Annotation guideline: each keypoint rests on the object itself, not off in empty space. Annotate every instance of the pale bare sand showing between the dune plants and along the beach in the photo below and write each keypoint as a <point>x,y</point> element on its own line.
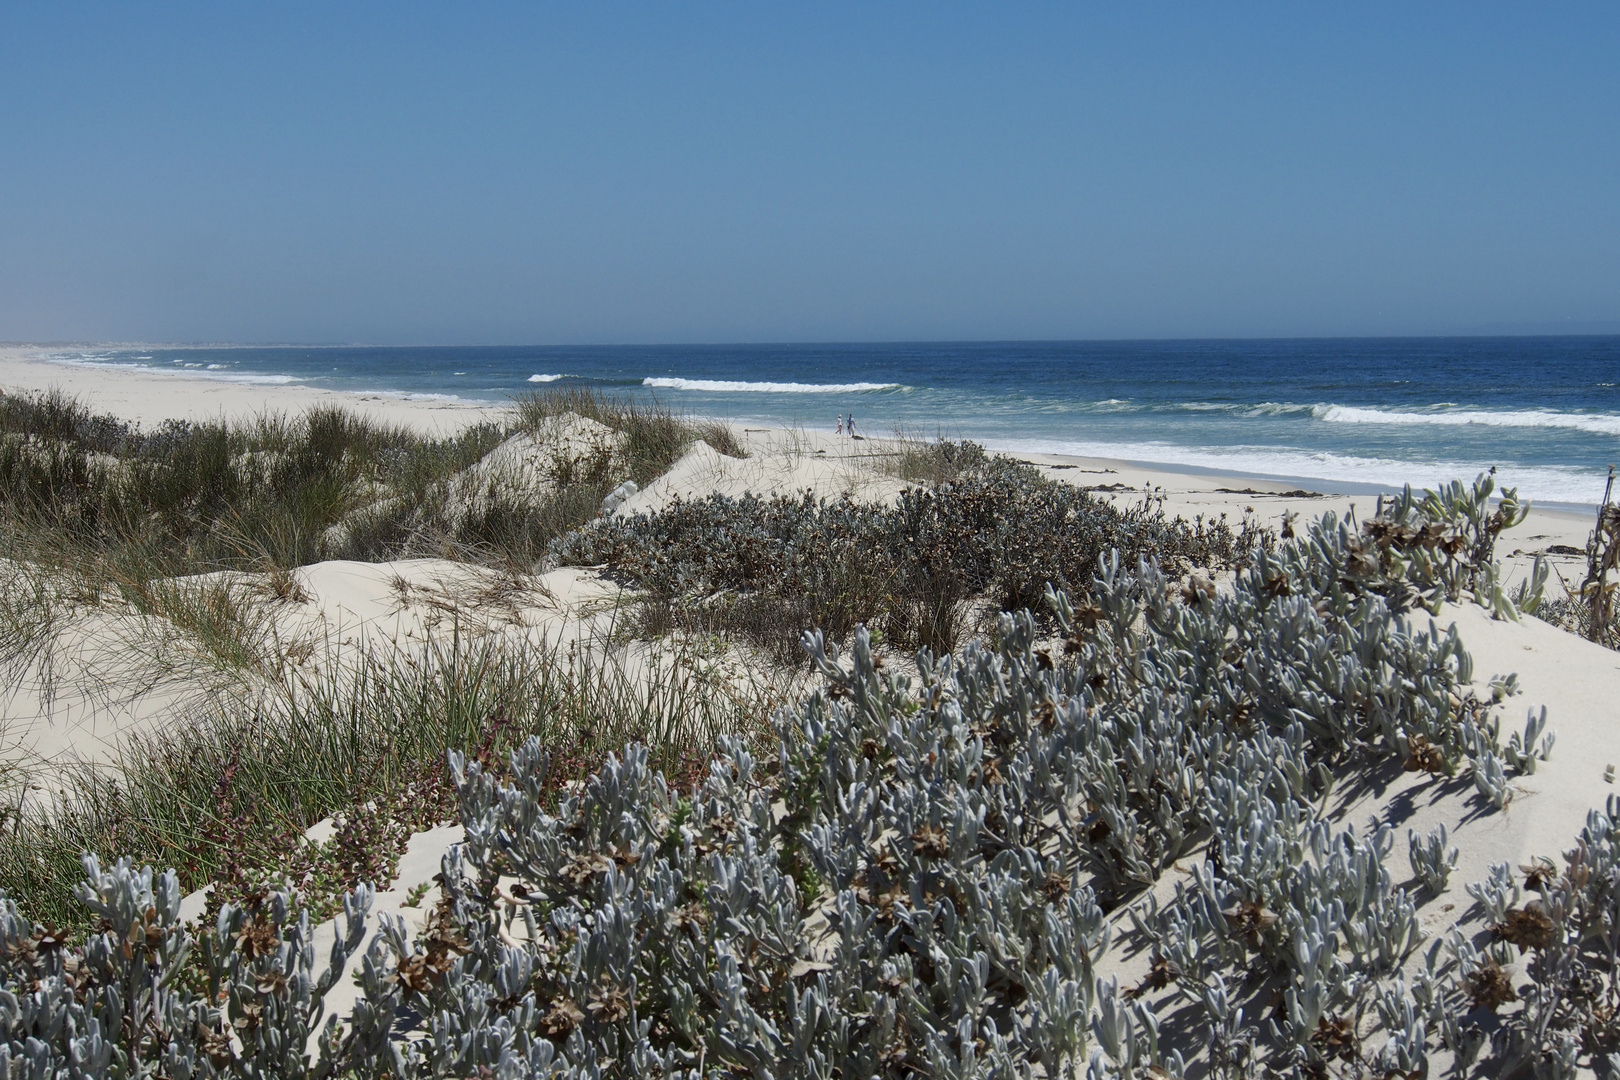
<point>113,687</point>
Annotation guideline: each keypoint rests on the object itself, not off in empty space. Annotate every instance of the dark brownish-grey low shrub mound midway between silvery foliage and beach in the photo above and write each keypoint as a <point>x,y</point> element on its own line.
<point>927,571</point>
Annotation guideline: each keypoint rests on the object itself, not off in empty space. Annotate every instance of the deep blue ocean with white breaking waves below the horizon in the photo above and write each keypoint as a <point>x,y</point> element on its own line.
<point>1352,412</point>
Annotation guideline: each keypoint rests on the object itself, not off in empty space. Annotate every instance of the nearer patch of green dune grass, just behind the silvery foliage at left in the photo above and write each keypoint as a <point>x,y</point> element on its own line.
<point>228,794</point>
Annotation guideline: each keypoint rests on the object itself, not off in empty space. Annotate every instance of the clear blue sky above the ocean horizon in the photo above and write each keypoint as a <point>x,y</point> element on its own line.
<point>770,172</point>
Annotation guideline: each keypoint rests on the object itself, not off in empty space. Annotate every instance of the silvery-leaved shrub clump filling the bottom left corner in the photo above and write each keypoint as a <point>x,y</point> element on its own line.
<point>127,1005</point>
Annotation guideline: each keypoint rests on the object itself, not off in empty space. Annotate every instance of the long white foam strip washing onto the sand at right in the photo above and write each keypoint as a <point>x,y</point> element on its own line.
<point>1546,483</point>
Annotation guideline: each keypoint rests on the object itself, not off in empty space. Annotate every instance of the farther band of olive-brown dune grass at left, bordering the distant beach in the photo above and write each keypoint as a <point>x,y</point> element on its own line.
<point>278,491</point>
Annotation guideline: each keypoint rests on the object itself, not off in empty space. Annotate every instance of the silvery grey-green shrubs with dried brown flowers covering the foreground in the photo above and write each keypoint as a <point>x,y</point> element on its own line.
<point>929,874</point>
